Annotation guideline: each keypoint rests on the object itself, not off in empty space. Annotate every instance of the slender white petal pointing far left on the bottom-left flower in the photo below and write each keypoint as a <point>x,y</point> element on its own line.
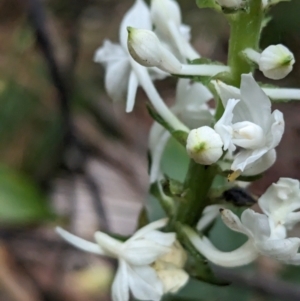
<point>80,243</point>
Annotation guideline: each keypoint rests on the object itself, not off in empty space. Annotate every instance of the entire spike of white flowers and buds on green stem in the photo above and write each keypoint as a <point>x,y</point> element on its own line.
<point>225,121</point>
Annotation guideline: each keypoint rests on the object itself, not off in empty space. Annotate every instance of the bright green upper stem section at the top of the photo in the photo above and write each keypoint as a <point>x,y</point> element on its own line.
<point>245,33</point>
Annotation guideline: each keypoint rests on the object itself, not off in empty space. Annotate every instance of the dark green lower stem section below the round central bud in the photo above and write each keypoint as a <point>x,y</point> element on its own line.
<point>196,187</point>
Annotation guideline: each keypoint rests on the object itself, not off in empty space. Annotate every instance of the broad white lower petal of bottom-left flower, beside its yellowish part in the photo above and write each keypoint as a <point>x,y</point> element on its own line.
<point>144,283</point>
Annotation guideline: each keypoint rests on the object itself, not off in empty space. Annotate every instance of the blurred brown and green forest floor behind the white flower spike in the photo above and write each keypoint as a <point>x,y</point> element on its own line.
<point>70,157</point>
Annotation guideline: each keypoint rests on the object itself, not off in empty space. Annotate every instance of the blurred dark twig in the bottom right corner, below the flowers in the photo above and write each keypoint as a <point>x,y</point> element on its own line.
<point>272,287</point>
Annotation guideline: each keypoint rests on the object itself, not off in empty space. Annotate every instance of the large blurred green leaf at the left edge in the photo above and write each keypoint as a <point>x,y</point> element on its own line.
<point>21,202</point>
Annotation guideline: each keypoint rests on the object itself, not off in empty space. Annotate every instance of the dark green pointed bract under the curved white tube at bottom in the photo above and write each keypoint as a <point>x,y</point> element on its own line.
<point>197,265</point>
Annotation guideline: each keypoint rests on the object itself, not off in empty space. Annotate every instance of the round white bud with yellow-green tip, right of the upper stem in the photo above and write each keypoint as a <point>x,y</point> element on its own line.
<point>276,61</point>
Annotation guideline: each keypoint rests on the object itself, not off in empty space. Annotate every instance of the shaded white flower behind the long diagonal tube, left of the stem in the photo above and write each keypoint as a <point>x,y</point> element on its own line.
<point>191,107</point>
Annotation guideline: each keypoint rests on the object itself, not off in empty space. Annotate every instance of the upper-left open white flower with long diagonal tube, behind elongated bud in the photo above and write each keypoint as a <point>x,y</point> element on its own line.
<point>123,74</point>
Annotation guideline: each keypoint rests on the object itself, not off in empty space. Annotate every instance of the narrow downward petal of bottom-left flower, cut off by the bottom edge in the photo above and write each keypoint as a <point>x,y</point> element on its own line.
<point>120,286</point>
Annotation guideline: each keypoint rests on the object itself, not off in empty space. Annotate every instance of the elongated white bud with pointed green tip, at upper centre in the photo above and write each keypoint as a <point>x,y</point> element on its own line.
<point>145,48</point>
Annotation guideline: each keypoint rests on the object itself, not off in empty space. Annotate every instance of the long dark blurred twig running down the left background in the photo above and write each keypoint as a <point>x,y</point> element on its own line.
<point>71,143</point>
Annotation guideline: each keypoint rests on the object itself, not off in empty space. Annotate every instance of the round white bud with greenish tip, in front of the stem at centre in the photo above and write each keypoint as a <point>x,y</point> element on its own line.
<point>204,145</point>
